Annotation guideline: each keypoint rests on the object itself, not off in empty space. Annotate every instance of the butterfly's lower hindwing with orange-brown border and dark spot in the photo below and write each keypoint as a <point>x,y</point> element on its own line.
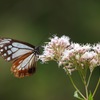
<point>24,66</point>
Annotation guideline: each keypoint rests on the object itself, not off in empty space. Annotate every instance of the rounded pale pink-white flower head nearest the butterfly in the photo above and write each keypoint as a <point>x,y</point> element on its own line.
<point>53,50</point>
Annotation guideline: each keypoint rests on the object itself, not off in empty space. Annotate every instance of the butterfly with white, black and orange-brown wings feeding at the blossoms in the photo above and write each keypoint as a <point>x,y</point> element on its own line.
<point>23,56</point>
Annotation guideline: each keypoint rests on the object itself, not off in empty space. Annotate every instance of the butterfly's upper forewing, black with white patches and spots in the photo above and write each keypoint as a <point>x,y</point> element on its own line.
<point>11,49</point>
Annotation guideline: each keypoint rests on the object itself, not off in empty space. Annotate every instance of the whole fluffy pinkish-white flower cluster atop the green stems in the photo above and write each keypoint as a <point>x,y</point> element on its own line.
<point>72,56</point>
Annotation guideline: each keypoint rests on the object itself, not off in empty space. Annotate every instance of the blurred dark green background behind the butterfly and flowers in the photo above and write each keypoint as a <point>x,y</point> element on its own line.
<point>34,21</point>
